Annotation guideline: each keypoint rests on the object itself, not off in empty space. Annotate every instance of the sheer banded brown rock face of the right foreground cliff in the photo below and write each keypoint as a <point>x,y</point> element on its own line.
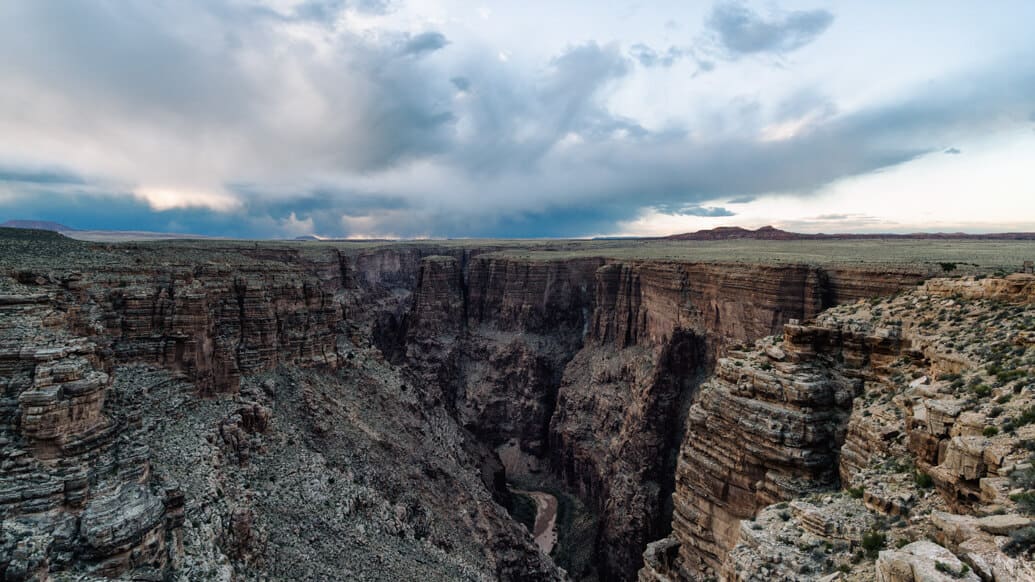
<point>765,431</point>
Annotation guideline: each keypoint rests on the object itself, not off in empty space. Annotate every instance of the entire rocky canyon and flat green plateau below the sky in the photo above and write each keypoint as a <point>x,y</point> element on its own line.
<point>695,411</point>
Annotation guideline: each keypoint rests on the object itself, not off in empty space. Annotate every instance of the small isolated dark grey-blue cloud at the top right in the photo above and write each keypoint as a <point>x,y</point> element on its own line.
<point>742,32</point>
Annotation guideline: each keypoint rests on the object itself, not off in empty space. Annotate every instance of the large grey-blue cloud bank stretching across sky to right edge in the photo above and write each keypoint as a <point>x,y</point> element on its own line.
<point>249,119</point>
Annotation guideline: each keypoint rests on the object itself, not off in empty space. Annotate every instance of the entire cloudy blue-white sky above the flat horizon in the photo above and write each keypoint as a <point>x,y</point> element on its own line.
<point>459,119</point>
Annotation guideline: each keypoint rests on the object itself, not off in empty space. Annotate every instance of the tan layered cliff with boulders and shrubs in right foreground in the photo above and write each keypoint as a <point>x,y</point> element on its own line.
<point>886,399</point>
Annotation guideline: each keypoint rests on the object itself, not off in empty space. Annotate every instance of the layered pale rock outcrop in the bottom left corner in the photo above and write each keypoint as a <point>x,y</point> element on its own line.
<point>76,486</point>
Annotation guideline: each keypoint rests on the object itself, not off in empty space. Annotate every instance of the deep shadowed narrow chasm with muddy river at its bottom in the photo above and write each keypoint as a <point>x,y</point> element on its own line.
<point>587,429</point>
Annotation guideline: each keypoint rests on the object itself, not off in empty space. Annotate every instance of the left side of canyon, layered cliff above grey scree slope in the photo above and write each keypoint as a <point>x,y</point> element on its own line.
<point>169,412</point>
